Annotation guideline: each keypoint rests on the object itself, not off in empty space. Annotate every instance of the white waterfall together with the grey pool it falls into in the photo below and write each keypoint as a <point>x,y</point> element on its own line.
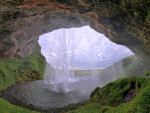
<point>60,87</point>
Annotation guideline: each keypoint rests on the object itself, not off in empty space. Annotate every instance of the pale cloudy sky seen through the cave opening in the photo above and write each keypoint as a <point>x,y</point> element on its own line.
<point>85,48</point>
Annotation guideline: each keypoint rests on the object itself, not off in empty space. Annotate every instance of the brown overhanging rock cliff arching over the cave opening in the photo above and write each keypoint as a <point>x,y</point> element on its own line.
<point>125,22</point>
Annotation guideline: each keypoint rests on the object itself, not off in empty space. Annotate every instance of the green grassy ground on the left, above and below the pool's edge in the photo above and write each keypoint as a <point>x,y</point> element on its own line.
<point>15,70</point>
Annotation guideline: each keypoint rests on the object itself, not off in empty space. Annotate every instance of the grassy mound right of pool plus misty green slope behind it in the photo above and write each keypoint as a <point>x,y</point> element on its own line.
<point>109,99</point>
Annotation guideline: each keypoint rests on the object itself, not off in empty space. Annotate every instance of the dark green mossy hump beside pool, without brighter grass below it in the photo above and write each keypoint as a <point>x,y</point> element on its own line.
<point>114,93</point>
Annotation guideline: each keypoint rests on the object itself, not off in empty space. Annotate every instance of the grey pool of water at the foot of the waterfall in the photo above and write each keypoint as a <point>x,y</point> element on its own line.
<point>42,95</point>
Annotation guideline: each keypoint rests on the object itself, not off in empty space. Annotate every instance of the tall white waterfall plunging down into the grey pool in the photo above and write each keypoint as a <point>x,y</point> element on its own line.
<point>59,75</point>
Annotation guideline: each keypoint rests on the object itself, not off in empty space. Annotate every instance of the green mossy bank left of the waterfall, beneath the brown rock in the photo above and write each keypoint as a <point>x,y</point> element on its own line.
<point>14,70</point>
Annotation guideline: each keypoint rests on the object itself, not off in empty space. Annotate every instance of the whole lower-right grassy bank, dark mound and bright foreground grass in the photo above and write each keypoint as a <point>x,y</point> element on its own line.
<point>112,98</point>
